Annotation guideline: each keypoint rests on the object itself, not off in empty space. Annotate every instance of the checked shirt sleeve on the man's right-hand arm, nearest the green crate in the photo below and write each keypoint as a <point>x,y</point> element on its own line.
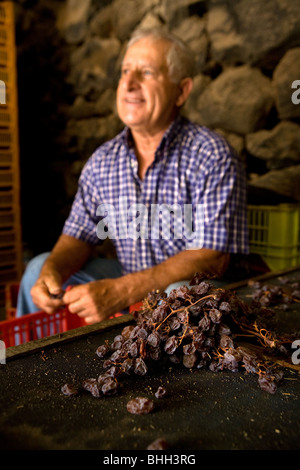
<point>221,208</point>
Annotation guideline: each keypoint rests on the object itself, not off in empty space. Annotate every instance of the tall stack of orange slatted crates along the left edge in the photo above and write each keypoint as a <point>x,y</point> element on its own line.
<point>10,222</point>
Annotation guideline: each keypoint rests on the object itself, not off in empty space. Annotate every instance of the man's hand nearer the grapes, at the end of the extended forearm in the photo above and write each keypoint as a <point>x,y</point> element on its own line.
<point>96,300</point>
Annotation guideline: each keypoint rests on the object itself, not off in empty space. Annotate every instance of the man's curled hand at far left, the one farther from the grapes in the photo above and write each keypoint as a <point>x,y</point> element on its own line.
<point>45,293</point>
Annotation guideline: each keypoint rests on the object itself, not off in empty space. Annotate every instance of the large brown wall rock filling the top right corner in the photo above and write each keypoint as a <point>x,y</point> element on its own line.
<point>254,32</point>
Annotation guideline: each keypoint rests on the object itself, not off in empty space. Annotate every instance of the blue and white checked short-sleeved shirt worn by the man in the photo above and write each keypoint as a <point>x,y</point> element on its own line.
<point>193,167</point>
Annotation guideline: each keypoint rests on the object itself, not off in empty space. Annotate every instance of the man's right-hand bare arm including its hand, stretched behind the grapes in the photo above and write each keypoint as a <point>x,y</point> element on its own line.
<point>97,300</point>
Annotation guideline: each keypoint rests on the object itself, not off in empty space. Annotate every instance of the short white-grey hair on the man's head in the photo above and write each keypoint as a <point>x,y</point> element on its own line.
<point>180,58</point>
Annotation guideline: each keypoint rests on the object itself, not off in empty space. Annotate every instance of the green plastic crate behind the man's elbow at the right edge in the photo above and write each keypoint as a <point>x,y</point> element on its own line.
<point>274,234</point>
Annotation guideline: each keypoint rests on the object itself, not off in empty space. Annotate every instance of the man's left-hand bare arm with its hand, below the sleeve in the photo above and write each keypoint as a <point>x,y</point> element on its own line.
<point>67,256</point>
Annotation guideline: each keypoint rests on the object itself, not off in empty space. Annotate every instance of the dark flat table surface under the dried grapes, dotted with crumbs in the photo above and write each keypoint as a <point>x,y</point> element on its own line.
<point>204,410</point>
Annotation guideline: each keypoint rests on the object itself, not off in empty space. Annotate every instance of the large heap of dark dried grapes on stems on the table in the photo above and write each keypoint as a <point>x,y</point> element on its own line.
<point>197,326</point>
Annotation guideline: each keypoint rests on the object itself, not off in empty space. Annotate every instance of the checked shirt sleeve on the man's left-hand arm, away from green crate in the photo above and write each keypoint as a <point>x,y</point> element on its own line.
<point>82,220</point>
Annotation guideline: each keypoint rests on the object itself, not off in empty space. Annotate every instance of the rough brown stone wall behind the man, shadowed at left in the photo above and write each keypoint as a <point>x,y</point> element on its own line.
<point>248,61</point>
